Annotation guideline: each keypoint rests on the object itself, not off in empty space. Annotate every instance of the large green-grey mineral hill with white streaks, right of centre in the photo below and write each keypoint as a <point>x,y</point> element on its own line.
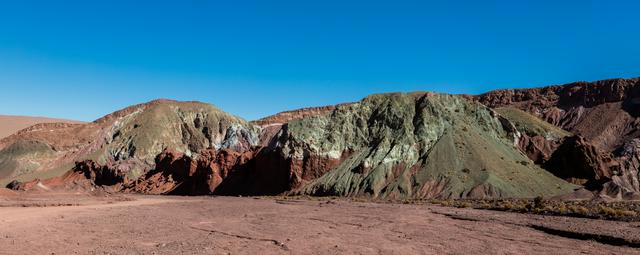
<point>420,145</point>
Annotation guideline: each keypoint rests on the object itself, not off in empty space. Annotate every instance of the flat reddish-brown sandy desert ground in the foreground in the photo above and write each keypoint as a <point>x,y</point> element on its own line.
<point>81,224</point>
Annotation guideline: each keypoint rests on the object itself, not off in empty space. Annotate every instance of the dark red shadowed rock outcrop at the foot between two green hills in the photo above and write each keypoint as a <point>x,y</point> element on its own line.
<point>216,172</point>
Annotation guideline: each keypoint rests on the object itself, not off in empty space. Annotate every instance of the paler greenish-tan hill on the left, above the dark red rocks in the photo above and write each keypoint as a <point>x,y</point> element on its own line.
<point>127,140</point>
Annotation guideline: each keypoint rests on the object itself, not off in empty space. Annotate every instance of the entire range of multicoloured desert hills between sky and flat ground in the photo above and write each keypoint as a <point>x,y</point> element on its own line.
<point>505,143</point>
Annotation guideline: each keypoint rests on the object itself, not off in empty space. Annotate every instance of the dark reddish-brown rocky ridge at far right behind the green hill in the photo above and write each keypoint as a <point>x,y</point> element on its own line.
<point>605,116</point>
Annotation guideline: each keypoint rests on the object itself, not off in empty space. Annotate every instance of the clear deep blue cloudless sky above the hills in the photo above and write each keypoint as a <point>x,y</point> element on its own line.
<point>83,59</point>
